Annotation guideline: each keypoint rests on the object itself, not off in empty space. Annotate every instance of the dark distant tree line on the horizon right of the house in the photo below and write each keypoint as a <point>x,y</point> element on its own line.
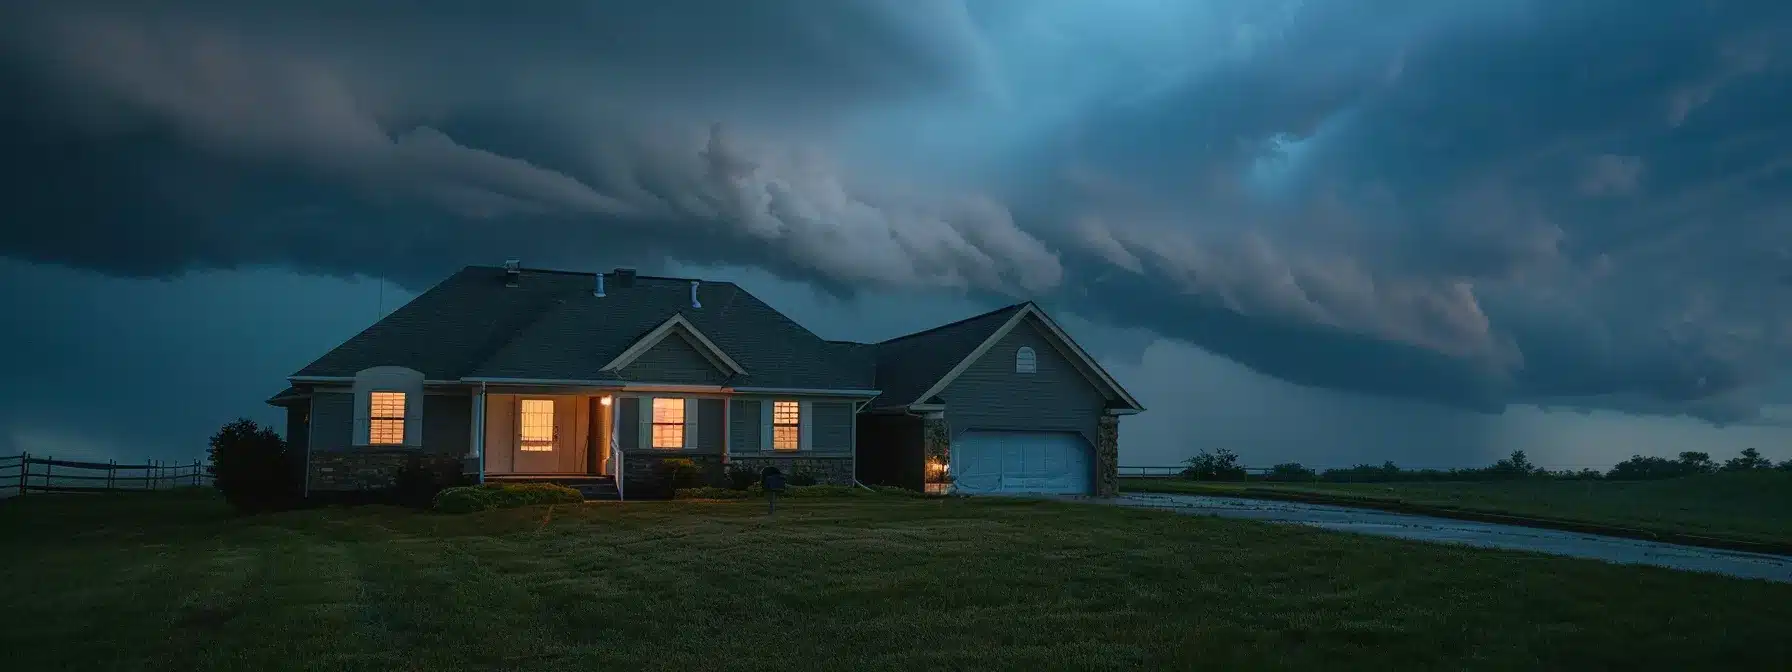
<point>1223,465</point>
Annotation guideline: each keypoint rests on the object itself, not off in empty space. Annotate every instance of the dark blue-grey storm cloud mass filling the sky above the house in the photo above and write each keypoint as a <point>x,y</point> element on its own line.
<point>1476,203</point>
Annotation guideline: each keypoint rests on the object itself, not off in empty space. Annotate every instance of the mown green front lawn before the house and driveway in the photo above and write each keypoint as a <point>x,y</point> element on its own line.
<point>173,583</point>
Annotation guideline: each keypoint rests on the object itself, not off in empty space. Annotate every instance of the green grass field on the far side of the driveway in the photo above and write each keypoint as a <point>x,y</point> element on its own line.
<point>1737,506</point>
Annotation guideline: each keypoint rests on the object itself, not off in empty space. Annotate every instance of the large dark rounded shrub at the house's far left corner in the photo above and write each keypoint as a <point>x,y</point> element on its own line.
<point>252,469</point>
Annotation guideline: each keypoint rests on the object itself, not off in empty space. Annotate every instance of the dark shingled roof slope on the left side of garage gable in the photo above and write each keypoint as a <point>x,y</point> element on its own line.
<point>909,365</point>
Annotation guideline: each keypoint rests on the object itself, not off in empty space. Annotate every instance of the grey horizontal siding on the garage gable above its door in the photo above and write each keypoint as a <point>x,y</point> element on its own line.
<point>990,395</point>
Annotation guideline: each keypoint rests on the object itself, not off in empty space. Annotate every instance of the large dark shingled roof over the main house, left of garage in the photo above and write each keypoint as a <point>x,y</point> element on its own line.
<point>553,327</point>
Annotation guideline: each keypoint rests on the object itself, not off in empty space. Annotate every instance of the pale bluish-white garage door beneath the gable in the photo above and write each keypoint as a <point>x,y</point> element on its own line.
<point>1021,463</point>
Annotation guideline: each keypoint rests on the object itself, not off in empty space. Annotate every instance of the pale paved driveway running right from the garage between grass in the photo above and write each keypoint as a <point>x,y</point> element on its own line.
<point>1476,535</point>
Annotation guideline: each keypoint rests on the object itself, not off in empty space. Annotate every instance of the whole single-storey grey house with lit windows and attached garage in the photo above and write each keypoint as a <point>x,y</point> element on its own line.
<point>512,374</point>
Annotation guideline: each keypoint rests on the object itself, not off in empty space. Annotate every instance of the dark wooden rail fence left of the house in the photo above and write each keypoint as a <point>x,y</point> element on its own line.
<point>26,474</point>
